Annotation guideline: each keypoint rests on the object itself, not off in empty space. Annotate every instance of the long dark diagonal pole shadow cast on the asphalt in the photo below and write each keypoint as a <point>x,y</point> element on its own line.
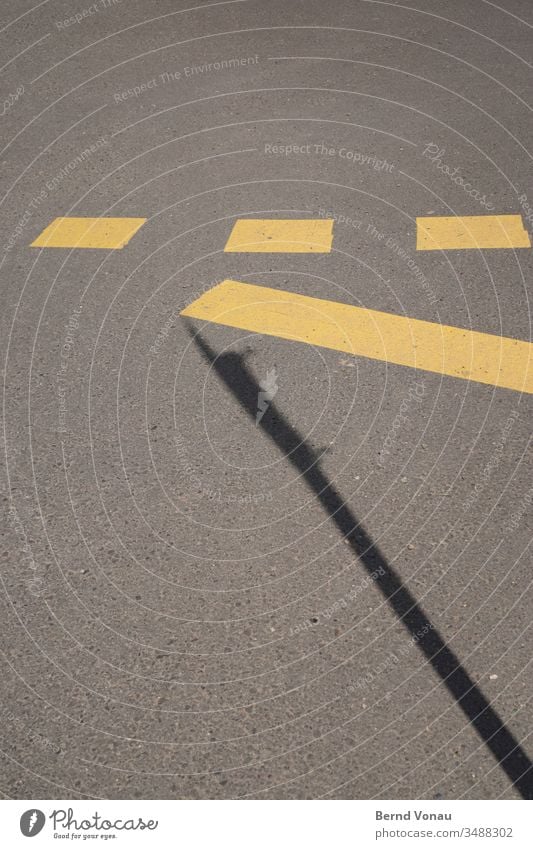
<point>232,370</point>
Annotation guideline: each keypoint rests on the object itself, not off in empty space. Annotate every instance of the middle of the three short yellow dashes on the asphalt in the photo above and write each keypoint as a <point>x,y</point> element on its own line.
<point>277,235</point>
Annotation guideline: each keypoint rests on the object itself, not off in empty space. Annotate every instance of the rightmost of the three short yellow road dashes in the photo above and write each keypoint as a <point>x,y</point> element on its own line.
<point>471,231</point>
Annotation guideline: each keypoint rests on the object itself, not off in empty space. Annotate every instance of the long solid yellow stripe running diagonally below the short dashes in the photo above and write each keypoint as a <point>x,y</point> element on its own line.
<point>481,357</point>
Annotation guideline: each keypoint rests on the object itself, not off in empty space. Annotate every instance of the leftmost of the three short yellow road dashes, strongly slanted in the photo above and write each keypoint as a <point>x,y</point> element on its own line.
<point>105,233</point>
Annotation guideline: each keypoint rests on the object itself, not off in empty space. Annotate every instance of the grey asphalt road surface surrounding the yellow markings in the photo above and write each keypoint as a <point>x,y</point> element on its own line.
<point>182,617</point>
